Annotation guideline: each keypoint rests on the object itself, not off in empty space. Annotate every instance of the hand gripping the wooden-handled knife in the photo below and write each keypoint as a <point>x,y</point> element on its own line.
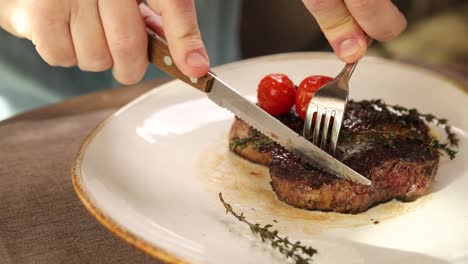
<point>97,35</point>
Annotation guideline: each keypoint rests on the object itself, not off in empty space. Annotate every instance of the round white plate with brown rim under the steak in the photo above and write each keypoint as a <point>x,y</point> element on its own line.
<point>151,173</point>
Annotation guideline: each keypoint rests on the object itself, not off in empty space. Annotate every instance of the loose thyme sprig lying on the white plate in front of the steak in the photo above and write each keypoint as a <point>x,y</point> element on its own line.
<point>291,250</point>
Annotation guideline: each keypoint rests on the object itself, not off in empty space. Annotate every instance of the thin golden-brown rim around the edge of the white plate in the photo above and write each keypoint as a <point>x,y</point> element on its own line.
<point>140,243</point>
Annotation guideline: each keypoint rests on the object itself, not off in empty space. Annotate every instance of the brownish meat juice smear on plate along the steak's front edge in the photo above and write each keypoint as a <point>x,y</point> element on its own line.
<point>246,186</point>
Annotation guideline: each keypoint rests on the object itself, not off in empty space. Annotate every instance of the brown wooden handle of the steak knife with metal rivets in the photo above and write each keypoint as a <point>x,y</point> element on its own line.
<point>159,55</point>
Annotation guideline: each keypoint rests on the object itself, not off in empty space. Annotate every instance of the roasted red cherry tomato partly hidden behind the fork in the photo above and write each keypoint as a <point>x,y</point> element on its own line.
<point>306,90</point>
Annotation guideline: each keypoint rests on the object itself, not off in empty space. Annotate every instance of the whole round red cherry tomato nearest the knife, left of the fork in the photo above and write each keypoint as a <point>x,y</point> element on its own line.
<point>276,94</point>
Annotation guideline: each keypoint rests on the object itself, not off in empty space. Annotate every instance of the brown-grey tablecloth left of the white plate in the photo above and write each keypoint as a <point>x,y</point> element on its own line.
<point>41,218</point>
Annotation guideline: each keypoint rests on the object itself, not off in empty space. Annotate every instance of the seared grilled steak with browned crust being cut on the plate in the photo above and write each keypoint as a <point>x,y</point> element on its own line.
<point>393,151</point>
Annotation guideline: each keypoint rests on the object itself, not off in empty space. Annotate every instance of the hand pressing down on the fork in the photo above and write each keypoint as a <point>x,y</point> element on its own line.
<point>345,23</point>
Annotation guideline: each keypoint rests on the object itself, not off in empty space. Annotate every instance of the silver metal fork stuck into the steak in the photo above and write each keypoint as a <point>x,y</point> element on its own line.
<point>327,103</point>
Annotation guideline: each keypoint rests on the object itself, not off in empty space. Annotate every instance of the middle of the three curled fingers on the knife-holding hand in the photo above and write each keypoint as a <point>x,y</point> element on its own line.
<point>88,37</point>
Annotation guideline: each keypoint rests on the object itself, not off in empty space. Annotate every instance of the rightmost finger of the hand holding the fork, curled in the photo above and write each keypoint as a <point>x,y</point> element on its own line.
<point>380,19</point>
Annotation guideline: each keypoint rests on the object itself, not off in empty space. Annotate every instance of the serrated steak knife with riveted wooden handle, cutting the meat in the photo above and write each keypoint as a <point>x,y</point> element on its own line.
<point>223,95</point>
